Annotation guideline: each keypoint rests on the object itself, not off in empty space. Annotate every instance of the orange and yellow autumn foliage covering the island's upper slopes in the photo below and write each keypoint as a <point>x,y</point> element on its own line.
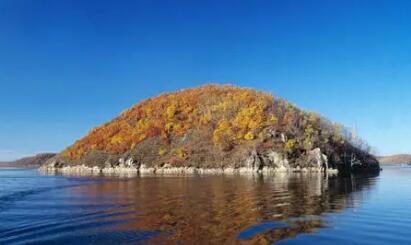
<point>233,116</point>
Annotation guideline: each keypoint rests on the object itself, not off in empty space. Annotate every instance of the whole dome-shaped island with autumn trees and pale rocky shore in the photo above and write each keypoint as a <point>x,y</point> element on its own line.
<point>216,129</point>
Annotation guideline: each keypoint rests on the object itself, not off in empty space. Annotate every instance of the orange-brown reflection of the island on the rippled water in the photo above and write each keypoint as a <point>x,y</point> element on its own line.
<point>218,209</point>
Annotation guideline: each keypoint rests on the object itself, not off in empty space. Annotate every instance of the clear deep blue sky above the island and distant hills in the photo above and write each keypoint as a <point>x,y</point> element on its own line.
<point>68,66</point>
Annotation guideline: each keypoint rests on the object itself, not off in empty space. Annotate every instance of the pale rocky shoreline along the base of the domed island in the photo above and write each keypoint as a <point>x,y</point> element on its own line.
<point>256,163</point>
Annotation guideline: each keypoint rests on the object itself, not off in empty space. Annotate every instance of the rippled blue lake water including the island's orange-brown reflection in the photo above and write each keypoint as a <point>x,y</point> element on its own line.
<point>298,209</point>
